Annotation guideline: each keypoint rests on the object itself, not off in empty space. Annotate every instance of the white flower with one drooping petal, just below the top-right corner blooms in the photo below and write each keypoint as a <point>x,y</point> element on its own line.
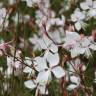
<point>78,18</point>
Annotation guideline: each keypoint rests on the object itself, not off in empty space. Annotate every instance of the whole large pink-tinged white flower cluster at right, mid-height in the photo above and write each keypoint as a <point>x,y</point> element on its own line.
<point>77,45</point>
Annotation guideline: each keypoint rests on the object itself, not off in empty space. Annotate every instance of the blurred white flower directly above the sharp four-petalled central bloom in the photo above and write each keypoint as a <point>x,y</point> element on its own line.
<point>43,43</point>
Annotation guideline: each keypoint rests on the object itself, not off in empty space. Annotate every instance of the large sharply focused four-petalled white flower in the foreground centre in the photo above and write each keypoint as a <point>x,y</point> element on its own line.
<point>47,65</point>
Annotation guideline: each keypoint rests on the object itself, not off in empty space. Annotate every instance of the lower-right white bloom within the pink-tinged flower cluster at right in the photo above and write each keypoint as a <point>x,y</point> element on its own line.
<point>82,48</point>
